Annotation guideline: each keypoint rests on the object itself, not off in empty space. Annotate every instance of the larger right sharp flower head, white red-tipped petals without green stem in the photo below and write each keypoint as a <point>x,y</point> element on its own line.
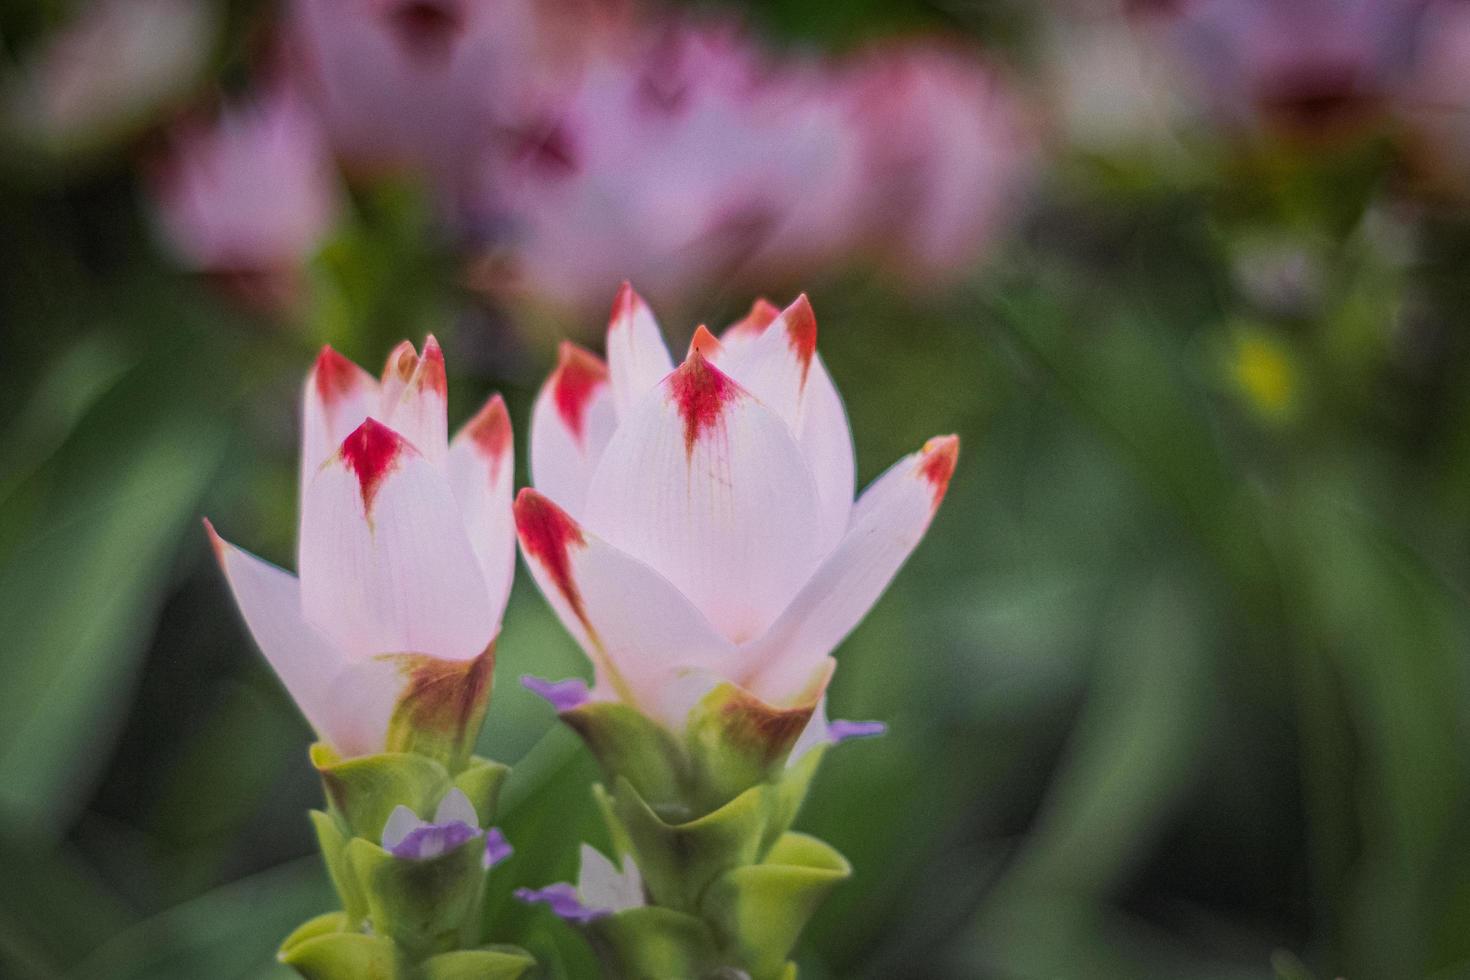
<point>696,525</point>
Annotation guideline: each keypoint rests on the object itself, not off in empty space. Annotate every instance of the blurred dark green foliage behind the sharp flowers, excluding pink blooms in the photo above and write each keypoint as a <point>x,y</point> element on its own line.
<point>1177,685</point>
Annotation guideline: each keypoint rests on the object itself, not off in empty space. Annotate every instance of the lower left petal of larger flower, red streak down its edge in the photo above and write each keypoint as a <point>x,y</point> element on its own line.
<point>630,621</point>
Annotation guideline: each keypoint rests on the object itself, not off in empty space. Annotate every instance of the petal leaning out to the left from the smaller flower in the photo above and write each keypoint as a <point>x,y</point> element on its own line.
<point>271,605</point>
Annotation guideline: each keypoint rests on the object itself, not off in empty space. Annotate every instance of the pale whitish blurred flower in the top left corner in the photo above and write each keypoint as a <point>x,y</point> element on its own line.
<point>110,71</point>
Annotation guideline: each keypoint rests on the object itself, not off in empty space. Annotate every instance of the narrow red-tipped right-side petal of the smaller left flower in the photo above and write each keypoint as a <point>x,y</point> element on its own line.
<point>481,471</point>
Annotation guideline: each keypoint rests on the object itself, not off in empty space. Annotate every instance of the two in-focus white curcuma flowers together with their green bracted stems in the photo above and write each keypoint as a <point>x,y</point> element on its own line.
<point>693,525</point>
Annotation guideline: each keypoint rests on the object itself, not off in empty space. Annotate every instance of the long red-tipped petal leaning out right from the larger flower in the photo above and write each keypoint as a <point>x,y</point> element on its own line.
<point>889,522</point>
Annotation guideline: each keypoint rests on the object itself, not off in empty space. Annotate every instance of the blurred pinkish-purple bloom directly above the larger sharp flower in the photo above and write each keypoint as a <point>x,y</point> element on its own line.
<point>671,154</point>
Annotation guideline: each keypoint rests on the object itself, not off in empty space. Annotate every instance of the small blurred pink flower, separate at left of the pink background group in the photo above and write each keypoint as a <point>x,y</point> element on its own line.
<point>251,196</point>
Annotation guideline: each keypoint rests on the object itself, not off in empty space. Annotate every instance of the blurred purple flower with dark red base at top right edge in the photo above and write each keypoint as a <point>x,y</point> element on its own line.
<point>1305,68</point>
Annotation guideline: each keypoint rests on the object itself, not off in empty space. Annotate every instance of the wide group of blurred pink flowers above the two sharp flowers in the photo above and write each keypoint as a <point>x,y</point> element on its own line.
<point>570,149</point>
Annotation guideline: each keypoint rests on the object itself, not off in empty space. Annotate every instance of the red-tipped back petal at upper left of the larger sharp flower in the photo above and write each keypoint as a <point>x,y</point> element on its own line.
<point>571,424</point>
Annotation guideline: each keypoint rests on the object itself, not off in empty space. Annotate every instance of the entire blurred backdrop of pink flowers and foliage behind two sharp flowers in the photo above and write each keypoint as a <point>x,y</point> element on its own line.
<point>1177,685</point>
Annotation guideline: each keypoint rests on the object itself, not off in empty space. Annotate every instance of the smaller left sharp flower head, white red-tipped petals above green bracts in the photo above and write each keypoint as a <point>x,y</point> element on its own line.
<point>406,559</point>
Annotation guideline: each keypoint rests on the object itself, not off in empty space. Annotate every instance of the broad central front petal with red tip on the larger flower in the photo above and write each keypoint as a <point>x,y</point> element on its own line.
<point>708,487</point>
